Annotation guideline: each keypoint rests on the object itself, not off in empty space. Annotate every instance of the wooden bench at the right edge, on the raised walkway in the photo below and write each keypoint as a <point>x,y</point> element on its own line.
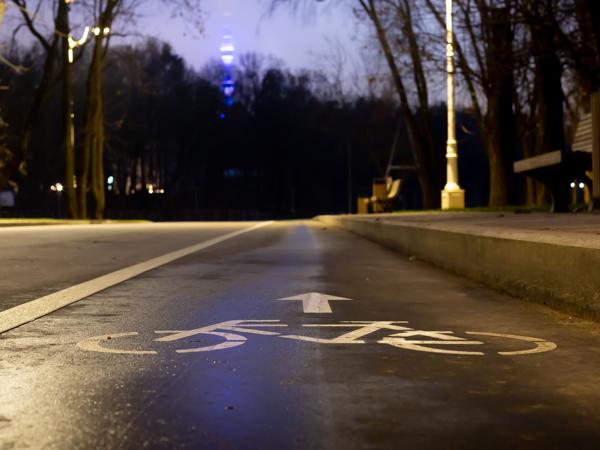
<point>559,168</point>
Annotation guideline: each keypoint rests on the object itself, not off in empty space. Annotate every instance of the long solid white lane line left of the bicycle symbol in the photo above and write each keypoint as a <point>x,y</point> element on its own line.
<point>27,312</point>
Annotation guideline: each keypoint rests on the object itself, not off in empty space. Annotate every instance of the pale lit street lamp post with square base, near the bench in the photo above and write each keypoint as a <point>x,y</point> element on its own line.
<point>453,197</point>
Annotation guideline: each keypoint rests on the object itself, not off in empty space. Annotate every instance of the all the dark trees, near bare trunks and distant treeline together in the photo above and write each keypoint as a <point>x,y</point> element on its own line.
<point>133,129</point>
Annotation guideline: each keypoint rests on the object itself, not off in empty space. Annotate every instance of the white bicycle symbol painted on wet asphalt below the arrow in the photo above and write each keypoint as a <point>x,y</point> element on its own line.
<point>402,337</point>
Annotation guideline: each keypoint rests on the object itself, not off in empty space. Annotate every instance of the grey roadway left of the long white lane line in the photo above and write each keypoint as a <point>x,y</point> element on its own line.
<point>43,259</point>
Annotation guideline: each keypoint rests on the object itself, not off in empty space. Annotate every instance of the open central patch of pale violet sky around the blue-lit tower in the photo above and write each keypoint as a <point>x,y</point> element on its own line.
<point>298,40</point>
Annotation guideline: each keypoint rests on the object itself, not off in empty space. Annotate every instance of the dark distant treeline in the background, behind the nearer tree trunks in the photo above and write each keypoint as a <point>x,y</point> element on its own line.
<point>286,148</point>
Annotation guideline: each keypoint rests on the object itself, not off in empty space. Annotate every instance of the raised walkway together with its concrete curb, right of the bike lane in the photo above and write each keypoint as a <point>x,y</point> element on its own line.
<point>550,258</point>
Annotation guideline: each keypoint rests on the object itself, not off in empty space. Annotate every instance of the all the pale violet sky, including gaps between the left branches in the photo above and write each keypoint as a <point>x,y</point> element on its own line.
<point>300,40</point>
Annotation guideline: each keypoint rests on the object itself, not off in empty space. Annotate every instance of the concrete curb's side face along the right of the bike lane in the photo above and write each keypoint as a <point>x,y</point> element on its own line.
<point>565,277</point>
